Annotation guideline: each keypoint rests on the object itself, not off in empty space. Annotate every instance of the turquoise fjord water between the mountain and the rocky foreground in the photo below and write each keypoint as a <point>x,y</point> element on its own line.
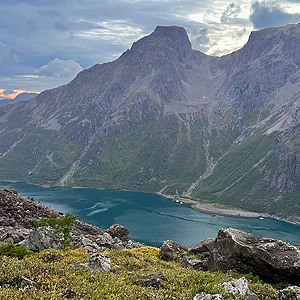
<point>150,218</point>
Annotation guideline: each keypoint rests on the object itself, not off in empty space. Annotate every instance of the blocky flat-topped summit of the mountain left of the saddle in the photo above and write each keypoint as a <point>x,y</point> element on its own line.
<point>168,38</point>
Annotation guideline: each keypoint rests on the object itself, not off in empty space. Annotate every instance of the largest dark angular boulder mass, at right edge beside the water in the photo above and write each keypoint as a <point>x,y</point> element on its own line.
<point>237,251</point>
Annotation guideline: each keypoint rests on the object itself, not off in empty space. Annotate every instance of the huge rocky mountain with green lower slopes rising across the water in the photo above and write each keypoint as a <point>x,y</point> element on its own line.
<point>164,117</point>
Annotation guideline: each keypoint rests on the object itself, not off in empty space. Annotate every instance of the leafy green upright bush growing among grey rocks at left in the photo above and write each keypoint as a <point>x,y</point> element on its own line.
<point>60,225</point>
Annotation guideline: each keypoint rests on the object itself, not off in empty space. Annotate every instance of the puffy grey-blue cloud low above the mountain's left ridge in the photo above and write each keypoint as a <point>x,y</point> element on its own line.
<point>60,68</point>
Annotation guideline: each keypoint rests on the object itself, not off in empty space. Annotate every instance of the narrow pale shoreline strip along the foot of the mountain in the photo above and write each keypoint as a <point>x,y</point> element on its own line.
<point>212,208</point>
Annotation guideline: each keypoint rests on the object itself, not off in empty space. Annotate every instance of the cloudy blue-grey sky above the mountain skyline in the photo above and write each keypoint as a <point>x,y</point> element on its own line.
<point>45,43</point>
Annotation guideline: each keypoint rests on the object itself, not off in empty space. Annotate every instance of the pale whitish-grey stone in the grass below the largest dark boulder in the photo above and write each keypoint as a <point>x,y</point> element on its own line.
<point>240,288</point>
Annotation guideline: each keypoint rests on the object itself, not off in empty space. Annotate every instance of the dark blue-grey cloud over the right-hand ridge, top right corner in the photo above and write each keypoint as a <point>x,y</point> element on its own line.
<point>269,14</point>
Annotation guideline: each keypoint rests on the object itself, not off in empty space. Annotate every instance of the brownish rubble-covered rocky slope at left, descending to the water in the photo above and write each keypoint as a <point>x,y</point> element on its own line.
<point>17,216</point>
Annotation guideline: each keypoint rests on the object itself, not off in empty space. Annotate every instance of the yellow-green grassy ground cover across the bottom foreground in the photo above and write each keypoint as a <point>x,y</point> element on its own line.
<point>53,269</point>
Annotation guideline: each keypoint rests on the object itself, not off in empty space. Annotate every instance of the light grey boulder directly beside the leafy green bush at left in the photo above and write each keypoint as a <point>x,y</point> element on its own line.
<point>43,238</point>
